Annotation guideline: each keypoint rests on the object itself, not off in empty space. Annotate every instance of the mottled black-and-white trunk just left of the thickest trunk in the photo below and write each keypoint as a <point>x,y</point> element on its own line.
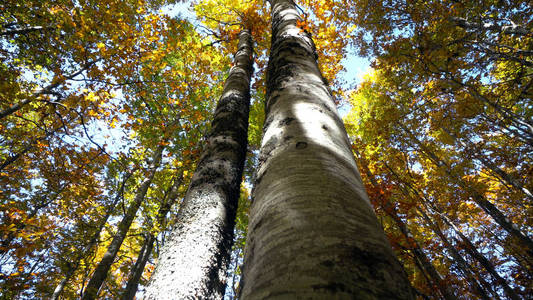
<point>193,262</point>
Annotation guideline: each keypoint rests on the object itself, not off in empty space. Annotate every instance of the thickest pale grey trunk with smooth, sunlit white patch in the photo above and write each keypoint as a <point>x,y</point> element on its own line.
<point>312,233</point>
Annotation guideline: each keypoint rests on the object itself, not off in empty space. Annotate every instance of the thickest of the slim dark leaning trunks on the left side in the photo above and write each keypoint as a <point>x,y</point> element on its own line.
<point>100,273</point>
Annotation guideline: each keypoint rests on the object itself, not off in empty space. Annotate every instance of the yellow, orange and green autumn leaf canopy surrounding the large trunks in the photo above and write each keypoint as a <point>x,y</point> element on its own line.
<point>441,126</point>
